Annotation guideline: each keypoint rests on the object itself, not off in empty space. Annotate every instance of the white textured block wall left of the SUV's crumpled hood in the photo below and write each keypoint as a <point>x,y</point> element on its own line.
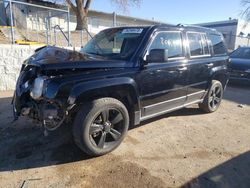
<point>11,58</point>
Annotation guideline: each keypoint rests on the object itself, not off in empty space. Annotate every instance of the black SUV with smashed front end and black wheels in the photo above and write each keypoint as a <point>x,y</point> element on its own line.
<point>121,77</point>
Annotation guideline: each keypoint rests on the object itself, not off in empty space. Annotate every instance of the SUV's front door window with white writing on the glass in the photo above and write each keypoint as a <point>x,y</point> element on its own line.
<point>172,41</point>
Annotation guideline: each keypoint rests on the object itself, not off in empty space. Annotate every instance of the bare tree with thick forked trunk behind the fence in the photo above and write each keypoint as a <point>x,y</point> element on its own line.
<point>81,7</point>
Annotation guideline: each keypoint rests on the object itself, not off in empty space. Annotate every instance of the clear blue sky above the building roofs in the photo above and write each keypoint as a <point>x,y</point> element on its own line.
<point>177,11</point>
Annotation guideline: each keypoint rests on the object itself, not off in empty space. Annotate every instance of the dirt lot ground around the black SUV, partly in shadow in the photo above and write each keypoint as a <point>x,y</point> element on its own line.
<point>185,148</point>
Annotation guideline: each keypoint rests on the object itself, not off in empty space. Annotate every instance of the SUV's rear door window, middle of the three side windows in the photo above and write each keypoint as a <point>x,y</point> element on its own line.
<point>198,44</point>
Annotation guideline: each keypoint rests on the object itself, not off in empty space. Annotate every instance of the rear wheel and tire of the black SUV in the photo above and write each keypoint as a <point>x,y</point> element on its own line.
<point>213,97</point>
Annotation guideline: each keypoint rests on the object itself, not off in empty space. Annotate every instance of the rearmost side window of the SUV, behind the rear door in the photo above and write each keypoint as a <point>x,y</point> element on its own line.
<point>218,44</point>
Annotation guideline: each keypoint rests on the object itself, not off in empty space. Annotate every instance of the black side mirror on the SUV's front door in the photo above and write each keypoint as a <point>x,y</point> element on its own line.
<point>157,56</point>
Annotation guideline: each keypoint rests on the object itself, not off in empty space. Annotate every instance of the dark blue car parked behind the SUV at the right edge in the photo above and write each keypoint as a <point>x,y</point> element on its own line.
<point>240,65</point>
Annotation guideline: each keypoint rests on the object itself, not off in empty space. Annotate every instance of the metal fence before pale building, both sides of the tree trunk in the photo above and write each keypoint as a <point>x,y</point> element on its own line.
<point>52,24</point>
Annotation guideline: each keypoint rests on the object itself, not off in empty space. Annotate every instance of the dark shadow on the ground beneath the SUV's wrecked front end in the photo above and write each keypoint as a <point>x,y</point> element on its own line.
<point>23,145</point>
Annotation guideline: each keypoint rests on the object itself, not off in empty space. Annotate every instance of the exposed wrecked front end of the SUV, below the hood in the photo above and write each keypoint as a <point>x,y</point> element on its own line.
<point>29,102</point>
